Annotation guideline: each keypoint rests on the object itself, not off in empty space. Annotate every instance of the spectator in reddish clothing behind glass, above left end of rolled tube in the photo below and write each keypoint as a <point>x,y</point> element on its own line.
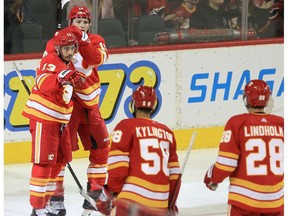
<point>179,17</point>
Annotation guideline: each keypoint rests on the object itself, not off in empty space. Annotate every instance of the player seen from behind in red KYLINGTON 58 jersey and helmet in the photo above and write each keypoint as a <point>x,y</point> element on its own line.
<point>143,166</point>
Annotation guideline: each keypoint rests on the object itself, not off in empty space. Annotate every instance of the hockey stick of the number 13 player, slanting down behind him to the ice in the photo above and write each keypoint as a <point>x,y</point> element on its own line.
<point>82,191</point>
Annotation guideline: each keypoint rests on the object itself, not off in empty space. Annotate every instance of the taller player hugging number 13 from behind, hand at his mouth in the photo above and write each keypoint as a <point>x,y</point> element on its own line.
<point>86,119</point>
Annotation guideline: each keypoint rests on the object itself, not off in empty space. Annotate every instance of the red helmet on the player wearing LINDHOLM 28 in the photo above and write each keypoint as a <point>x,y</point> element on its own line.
<point>256,93</point>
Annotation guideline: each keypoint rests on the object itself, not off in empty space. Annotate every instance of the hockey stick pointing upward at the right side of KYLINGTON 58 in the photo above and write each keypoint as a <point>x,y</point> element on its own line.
<point>173,199</point>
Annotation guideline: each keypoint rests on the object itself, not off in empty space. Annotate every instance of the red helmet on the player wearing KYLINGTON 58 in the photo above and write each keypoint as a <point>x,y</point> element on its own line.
<point>144,97</point>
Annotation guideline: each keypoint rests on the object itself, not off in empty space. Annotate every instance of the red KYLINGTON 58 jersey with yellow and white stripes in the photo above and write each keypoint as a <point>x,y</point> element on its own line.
<point>143,164</point>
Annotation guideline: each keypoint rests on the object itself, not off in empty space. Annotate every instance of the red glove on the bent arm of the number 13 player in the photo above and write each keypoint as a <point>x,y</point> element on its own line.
<point>71,77</point>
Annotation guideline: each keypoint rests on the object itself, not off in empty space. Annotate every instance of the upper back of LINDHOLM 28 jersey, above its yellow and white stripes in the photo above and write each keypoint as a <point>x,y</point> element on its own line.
<point>261,142</point>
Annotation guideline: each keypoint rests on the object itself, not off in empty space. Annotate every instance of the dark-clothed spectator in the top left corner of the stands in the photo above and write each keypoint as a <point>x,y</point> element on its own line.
<point>15,12</point>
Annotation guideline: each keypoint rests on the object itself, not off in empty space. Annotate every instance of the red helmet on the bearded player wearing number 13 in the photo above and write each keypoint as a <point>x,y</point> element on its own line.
<point>64,38</point>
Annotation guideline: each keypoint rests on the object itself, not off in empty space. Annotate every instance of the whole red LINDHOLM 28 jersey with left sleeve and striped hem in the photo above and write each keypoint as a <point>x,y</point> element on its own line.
<point>253,150</point>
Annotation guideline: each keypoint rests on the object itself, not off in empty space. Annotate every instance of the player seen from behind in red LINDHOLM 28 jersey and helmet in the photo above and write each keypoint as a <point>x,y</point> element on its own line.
<point>251,154</point>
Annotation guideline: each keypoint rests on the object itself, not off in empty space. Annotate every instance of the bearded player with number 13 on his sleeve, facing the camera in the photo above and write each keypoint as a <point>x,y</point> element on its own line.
<point>49,109</point>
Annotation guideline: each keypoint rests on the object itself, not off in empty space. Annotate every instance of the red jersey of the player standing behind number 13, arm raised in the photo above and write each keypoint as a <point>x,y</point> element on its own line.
<point>91,54</point>
